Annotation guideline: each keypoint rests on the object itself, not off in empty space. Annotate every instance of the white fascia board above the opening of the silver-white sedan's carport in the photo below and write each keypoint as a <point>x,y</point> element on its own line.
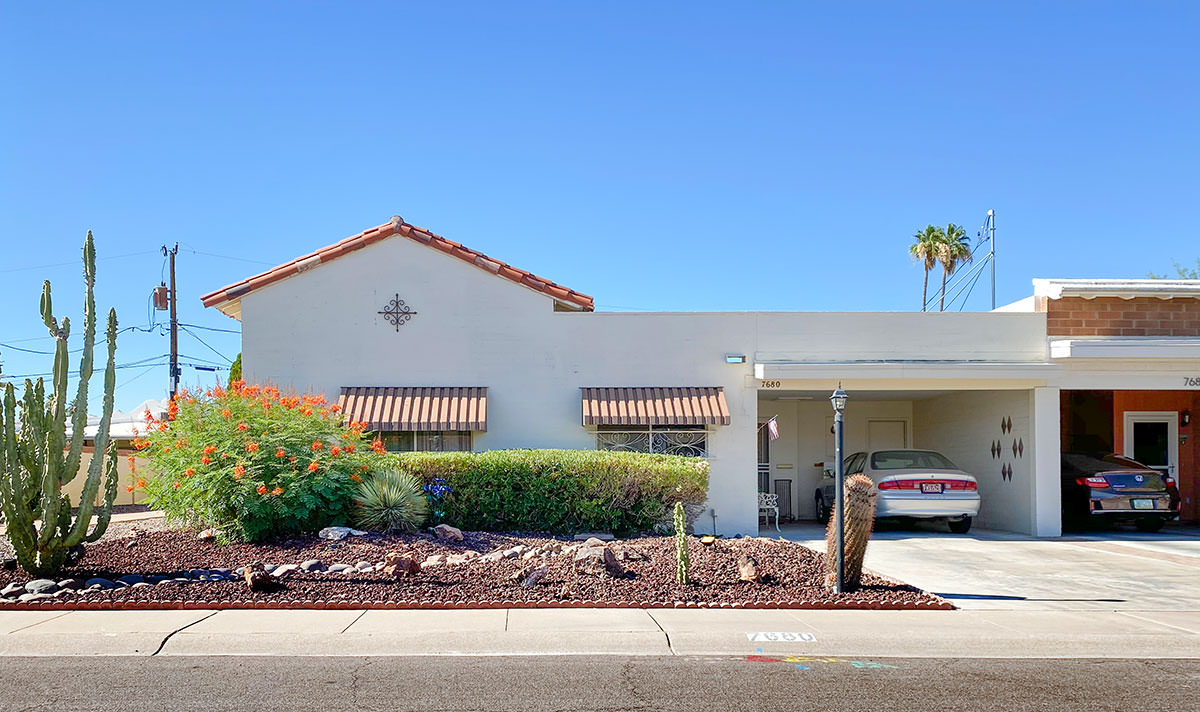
<point>908,370</point>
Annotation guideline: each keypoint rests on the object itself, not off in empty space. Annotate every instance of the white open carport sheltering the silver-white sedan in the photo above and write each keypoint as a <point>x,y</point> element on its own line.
<point>999,422</point>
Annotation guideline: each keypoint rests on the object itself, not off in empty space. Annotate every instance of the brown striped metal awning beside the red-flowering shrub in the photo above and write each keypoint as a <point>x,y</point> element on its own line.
<point>403,409</point>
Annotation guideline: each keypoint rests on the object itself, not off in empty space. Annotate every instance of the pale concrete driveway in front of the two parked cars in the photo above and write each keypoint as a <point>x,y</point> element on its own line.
<point>991,570</point>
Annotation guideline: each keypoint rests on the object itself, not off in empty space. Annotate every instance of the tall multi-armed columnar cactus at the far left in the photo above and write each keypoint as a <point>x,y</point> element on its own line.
<point>37,460</point>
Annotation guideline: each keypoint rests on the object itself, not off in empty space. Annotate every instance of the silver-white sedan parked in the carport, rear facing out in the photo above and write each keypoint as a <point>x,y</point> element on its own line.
<point>913,484</point>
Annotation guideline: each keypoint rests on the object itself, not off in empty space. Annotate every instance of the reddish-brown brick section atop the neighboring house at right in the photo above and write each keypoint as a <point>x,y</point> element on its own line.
<point>1111,316</point>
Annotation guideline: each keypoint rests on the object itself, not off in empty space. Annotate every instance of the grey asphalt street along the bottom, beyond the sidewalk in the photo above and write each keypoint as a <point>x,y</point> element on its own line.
<point>597,684</point>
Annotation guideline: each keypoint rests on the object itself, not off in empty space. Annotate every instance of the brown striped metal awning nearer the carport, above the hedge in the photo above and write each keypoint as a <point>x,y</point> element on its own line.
<point>656,406</point>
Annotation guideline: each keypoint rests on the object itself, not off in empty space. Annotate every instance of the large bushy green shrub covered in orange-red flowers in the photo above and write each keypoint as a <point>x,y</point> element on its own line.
<point>251,463</point>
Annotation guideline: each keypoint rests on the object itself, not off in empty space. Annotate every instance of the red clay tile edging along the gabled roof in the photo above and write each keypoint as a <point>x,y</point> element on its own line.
<point>398,228</point>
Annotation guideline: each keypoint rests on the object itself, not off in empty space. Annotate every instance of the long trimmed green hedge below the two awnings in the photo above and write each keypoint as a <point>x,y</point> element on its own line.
<point>561,492</point>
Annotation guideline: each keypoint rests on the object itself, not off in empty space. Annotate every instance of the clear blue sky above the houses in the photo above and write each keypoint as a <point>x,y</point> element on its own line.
<point>688,157</point>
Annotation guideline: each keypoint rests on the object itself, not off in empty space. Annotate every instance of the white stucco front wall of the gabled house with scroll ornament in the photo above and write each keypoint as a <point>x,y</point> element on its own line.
<point>320,331</point>
